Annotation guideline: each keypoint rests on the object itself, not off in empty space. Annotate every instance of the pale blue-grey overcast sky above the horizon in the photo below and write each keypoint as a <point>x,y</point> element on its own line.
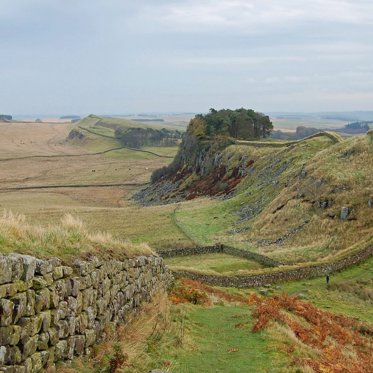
<point>117,56</point>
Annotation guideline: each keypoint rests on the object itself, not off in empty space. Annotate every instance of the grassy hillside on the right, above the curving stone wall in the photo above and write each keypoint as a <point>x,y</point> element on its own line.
<point>340,173</point>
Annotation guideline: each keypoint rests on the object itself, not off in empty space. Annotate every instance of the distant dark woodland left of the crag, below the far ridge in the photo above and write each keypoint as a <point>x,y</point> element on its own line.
<point>139,137</point>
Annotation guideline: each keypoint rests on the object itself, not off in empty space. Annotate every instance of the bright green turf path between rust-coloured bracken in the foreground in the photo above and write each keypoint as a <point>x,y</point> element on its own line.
<point>220,346</point>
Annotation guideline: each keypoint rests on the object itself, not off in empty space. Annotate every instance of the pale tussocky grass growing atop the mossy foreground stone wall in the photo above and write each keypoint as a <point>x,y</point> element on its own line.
<point>67,240</point>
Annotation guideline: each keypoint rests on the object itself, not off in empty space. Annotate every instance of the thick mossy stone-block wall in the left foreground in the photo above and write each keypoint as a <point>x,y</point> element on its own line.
<point>50,312</point>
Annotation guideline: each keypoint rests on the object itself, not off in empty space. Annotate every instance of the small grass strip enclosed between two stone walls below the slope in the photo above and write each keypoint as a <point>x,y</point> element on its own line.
<point>217,262</point>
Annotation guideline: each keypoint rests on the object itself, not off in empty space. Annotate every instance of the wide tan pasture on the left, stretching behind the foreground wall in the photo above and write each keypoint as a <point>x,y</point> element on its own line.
<point>44,176</point>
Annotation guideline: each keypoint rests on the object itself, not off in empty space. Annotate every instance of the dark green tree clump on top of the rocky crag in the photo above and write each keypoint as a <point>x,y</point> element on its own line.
<point>241,123</point>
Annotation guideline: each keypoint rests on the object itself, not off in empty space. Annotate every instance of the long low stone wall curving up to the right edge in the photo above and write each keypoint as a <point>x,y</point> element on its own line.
<point>278,275</point>
